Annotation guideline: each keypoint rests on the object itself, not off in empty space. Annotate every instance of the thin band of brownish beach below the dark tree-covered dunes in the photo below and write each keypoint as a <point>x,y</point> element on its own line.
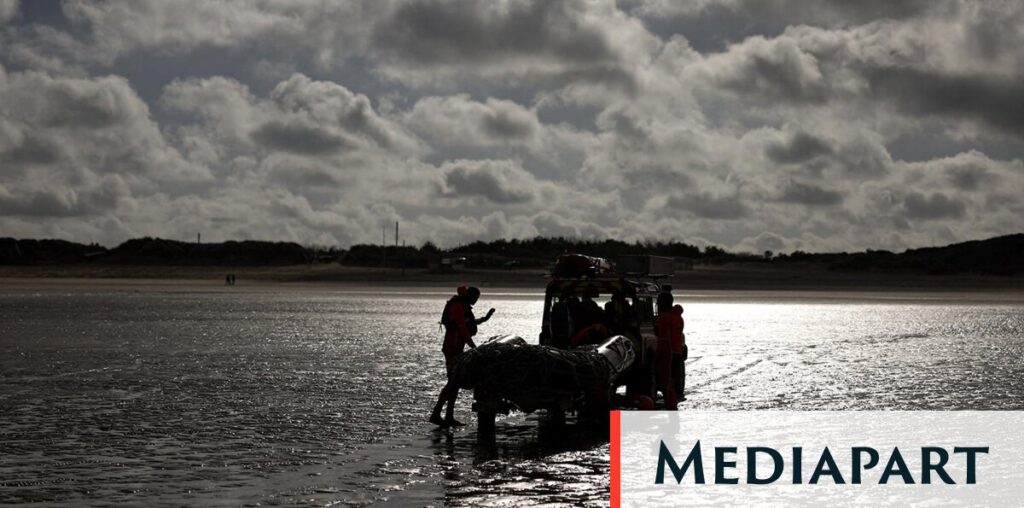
<point>729,277</point>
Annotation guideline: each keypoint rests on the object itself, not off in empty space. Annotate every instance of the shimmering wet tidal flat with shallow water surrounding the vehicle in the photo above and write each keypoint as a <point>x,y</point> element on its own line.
<point>320,398</point>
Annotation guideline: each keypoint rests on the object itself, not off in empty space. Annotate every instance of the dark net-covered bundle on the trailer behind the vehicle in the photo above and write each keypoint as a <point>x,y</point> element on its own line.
<point>534,376</point>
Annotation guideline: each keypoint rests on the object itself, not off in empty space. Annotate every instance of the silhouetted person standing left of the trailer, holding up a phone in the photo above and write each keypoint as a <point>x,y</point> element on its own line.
<point>460,327</point>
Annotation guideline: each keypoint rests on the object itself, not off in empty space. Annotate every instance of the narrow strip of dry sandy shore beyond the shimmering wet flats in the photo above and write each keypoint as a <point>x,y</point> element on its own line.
<point>734,281</point>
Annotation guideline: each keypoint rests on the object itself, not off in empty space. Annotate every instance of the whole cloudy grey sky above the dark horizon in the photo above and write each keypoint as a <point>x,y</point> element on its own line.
<point>752,125</point>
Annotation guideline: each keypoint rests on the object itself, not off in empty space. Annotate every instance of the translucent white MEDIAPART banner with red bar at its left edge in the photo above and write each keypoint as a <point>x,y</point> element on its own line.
<point>810,458</point>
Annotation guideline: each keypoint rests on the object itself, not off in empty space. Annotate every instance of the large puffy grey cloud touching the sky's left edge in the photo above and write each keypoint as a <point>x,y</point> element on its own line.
<point>79,129</point>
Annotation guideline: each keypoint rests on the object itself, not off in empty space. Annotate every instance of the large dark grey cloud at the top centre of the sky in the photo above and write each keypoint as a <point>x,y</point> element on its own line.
<point>546,44</point>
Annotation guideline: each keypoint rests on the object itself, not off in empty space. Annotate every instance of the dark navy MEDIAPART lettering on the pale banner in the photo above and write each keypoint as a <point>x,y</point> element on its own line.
<point>934,461</point>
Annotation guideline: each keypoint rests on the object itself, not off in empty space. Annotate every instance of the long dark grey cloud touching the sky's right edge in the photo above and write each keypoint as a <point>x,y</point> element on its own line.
<point>994,101</point>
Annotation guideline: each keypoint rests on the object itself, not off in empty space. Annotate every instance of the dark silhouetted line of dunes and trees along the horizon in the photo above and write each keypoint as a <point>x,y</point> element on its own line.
<point>1000,257</point>
